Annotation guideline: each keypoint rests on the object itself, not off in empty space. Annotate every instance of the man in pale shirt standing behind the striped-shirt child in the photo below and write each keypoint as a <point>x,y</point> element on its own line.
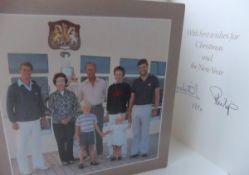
<point>93,90</point>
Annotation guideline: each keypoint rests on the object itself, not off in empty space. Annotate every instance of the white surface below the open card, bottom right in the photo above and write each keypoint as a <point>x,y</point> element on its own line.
<point>184,161</point>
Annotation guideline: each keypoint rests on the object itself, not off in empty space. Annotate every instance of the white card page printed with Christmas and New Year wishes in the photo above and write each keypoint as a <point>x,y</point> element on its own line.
<point>221,138</point>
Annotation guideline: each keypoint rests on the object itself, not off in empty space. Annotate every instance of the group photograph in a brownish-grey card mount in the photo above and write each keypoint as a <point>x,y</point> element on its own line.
<point>90,93</point>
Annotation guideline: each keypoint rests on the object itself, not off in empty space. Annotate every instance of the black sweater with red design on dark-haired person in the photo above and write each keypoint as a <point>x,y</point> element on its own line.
<point>118,97</point>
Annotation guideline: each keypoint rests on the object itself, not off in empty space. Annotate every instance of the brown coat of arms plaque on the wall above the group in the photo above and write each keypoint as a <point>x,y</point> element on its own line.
<point>64,35</point>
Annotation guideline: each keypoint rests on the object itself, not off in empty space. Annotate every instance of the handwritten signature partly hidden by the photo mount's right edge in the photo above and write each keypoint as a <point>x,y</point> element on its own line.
<point>188,89</point>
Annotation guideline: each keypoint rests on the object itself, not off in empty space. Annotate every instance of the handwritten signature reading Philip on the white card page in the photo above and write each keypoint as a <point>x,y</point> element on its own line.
<point>223,102</point>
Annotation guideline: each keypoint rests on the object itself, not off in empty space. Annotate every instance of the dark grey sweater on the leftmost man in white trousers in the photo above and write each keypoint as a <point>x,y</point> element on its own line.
<point>24,105</point>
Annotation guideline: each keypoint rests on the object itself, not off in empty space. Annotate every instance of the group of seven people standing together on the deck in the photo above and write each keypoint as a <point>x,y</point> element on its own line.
<point>78,116</point>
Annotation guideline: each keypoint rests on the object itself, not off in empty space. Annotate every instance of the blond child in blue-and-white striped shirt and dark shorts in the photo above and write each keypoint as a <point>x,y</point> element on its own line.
<point>85,132</point>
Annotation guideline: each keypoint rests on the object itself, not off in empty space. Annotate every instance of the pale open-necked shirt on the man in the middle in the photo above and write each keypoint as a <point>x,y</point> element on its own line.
<point>95,94</point>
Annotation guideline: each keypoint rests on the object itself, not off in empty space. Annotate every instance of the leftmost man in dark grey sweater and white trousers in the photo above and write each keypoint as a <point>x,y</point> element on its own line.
<point>26,113</point>
